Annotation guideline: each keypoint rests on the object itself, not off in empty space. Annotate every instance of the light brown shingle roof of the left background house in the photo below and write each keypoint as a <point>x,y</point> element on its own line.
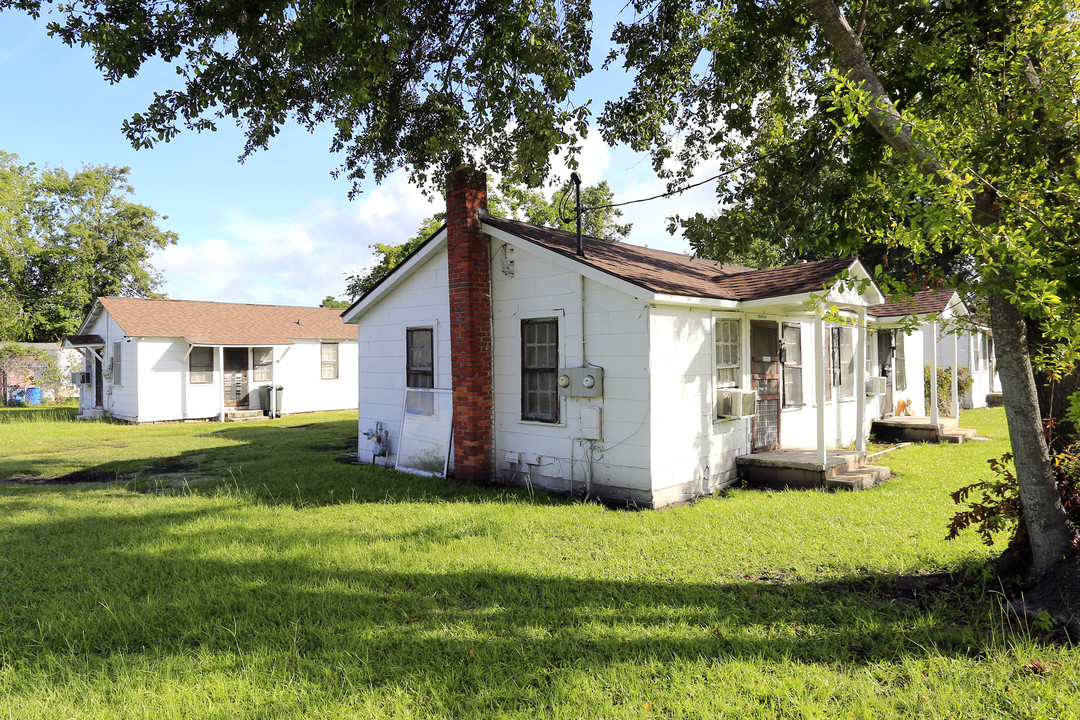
<point>225,323</point>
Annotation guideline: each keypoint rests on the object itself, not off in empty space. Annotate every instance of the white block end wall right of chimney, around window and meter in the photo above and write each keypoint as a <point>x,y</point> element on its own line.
<point>617,338</point>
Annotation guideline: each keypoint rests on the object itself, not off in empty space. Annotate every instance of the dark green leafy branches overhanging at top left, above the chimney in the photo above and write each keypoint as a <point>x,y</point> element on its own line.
<point>420,85</point>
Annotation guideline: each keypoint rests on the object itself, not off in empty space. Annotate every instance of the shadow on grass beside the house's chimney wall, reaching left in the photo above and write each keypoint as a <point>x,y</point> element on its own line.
<point>294,465</point>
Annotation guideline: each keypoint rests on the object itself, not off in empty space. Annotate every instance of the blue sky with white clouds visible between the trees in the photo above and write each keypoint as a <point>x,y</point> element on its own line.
<point>277,229</point>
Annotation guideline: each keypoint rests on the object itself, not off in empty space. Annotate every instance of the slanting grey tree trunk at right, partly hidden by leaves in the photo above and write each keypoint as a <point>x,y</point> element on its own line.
<point>1051,534</point>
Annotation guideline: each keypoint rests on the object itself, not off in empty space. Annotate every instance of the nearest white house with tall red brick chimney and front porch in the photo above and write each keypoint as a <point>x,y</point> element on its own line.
<point>631,374</point>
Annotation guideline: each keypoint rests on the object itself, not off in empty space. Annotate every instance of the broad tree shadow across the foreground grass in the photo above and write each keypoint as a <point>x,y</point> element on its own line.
<point>173,585</point>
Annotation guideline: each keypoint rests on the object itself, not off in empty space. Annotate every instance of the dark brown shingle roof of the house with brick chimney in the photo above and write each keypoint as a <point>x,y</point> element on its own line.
<point>672,274</point>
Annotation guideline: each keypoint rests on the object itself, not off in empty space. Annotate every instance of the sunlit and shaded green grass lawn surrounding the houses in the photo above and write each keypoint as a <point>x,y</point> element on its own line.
<point>241,572</point>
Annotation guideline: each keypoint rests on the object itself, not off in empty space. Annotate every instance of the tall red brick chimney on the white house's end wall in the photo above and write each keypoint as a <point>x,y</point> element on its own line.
<point>470,327</point>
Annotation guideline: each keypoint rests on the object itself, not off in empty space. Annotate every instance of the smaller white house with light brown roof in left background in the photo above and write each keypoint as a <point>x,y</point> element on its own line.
<point>153,361</point>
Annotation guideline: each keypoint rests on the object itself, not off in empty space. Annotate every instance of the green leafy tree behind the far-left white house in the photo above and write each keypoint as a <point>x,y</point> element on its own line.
<point>66,239</point>
